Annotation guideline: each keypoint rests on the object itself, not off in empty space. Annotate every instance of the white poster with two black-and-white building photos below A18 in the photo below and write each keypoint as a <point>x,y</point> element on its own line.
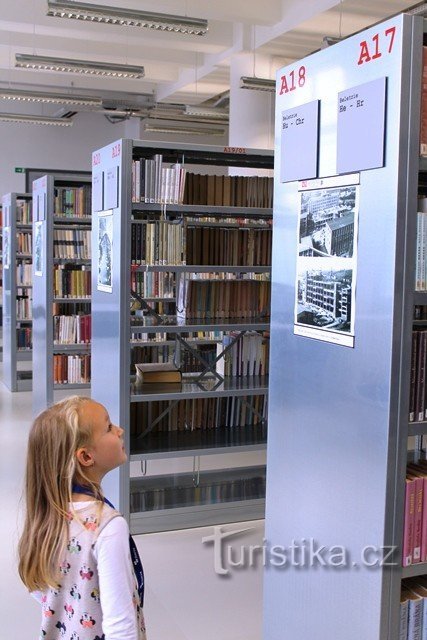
<point>325,285</point>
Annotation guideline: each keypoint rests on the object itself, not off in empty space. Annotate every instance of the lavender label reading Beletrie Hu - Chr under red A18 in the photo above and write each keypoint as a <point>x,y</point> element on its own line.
<point>300,142</point>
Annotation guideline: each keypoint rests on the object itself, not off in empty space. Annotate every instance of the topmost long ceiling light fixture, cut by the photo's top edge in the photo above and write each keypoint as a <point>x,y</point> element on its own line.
<point>126,17</point>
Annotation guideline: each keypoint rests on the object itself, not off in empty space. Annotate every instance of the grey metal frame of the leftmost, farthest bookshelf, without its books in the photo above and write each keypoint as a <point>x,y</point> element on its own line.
<point>15,378</point>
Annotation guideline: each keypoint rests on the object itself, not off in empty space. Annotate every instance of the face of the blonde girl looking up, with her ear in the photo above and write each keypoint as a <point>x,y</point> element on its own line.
<point>106,451</point>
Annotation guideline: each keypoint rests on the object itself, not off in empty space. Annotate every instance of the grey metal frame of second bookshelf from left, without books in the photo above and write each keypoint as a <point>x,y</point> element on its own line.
<point>45,221</point>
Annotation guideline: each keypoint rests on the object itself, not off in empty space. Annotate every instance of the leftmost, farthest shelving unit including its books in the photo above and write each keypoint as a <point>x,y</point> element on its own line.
<point>17,291</point>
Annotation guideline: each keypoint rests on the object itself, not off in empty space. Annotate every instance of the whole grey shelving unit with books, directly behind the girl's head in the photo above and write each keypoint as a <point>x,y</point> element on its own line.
<point>199,416</point>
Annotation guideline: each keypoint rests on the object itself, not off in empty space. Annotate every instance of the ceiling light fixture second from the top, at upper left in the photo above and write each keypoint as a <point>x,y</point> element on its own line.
<point>26,61</point>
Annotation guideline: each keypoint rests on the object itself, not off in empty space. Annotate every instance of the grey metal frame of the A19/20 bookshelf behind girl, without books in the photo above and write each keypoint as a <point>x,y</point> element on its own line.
<point>113,330</point>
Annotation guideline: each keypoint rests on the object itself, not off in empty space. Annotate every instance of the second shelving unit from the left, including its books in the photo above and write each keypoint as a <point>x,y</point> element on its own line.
<point>61,232</point>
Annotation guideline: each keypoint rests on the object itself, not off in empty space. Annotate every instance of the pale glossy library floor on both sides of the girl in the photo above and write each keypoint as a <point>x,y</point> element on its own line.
<point>185,598</point>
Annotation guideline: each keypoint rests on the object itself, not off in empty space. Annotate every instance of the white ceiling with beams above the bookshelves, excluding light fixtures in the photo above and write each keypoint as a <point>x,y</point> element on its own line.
<point>178,68</point>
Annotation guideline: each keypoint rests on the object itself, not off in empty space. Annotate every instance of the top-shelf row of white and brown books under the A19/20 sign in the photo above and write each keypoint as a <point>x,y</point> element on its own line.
<point>154,183</point>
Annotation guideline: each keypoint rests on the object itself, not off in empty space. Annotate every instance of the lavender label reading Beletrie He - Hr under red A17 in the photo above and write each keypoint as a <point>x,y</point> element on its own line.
<point>361,127</point>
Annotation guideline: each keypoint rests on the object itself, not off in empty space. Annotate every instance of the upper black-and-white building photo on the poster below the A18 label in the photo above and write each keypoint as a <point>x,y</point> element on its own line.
<point>327,222</point>
